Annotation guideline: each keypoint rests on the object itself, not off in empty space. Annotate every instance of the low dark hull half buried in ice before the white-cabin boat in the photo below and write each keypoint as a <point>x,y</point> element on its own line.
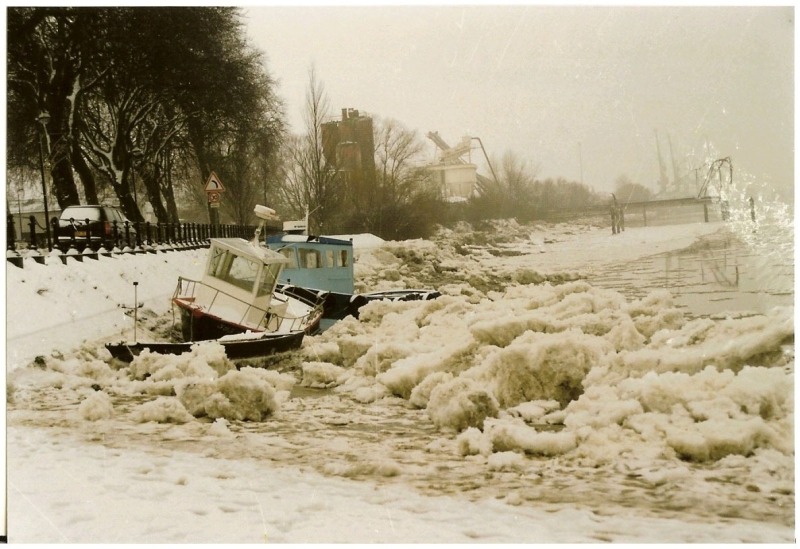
<point>264,345</point>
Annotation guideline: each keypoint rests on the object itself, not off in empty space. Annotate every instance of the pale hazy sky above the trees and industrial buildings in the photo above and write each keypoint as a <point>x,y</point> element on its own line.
<point>576,92</point>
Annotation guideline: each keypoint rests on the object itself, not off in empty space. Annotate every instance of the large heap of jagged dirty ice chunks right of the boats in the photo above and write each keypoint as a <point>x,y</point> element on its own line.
<point>600,374</point>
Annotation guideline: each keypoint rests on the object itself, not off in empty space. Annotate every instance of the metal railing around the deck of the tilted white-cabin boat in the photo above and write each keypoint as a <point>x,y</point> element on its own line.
<point>269,319</point>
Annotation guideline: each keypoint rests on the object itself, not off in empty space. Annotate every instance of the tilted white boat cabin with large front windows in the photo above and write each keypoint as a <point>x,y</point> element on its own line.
<point>239,281</point>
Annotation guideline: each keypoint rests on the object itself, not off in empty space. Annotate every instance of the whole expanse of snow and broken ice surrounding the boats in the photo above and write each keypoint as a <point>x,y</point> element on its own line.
<point>538,400</point>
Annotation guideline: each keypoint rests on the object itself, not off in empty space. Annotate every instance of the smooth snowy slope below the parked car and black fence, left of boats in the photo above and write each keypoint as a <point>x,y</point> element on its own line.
<point>87,300</point>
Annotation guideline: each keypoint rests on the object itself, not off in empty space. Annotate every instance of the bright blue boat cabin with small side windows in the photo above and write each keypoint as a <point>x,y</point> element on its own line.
<point>315,262</point>
